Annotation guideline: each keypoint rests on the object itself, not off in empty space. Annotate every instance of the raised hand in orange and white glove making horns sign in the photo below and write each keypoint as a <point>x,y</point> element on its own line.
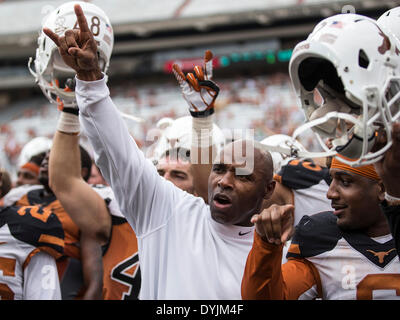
<point>197,88</point>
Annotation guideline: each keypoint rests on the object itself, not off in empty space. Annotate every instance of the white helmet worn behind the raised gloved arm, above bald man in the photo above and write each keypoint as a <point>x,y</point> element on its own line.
<point>178,134</point>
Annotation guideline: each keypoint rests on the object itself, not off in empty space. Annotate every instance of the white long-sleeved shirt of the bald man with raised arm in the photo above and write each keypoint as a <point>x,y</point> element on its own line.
<point>184,253</point>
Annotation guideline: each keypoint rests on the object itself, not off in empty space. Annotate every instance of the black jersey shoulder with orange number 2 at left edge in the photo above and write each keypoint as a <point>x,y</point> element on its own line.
<point>37,226</point>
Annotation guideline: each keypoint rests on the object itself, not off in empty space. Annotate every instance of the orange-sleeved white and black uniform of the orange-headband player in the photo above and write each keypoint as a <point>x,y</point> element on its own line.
<point>323,262</point>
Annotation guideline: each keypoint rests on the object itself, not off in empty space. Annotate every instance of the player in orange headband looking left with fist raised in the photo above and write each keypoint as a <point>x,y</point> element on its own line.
<point>345,254</point>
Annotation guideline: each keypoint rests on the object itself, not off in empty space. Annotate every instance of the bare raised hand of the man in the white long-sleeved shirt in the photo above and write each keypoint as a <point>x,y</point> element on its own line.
<point>78,48</point>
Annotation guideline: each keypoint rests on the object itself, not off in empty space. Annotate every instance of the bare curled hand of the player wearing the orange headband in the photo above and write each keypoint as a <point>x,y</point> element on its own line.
<point>275,224</point>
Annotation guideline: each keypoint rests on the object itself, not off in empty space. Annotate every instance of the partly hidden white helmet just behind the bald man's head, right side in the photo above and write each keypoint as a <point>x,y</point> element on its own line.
<point>282,148</point>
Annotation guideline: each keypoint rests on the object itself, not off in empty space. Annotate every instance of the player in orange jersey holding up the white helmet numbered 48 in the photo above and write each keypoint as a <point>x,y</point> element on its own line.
<point>117,266</point>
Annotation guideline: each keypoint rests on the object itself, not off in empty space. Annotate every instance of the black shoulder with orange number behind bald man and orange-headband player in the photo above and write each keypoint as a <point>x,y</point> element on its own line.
<point>302,174</point>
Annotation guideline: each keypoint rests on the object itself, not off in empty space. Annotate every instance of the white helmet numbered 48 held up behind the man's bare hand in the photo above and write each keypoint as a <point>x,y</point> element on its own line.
<point>53,76</point>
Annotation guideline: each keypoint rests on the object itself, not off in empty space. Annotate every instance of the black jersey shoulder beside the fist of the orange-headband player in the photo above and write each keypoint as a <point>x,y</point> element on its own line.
<point>314,235</point>
